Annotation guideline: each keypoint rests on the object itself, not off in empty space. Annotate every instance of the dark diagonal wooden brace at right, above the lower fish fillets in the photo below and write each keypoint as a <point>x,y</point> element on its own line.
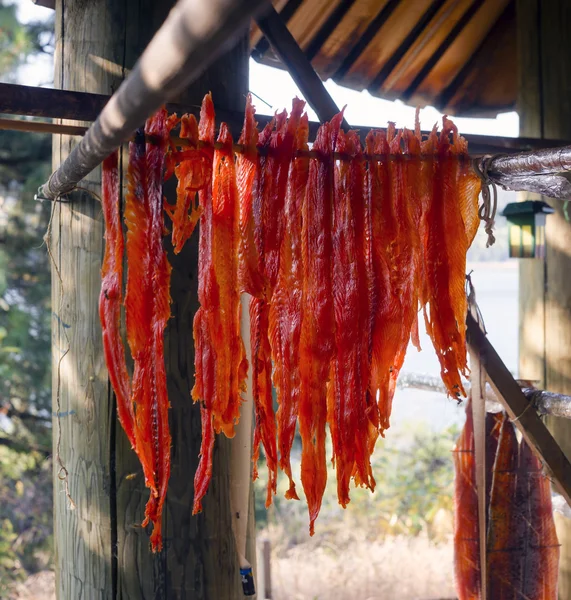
<point>521,411</point>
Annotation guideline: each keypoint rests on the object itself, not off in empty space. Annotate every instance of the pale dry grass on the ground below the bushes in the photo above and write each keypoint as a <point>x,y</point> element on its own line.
<point>397,568</point>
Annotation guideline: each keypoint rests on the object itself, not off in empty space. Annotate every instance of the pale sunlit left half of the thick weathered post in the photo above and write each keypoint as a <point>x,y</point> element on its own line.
<point>84,536</point>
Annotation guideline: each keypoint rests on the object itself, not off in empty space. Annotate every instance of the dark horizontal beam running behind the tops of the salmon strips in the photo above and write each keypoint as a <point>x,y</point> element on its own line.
<point>81,106</point>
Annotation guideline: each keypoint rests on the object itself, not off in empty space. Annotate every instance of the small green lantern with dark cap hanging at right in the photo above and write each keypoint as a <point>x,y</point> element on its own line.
<point>527,228</point>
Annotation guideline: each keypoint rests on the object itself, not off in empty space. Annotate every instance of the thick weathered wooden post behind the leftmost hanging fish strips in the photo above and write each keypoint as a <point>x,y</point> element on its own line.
<point>101,551</point>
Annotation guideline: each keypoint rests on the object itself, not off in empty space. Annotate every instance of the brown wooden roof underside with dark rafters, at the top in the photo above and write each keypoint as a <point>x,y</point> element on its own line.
<point>457,55</point>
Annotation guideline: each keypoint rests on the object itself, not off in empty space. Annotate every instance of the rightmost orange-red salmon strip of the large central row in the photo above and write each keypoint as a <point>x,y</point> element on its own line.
<point>451,222</point>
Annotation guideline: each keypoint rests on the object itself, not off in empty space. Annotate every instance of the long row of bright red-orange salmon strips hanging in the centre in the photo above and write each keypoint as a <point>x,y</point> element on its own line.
<point>342,249</point>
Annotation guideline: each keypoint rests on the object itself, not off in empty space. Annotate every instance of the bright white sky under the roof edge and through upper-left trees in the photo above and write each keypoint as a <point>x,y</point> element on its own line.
<point>276,88</point>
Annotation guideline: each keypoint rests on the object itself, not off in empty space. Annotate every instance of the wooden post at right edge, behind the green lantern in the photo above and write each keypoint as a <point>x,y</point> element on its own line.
<point>545,287</point>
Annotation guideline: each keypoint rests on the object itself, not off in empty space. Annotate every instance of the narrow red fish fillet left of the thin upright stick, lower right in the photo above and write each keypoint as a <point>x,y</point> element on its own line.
<point>466,529</point>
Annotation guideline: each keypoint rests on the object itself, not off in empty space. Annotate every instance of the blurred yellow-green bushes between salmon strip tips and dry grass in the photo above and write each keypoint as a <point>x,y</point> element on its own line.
<point>414,484</point>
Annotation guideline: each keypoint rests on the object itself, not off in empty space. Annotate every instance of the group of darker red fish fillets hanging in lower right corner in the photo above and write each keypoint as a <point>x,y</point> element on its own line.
<point>522,550</point>
